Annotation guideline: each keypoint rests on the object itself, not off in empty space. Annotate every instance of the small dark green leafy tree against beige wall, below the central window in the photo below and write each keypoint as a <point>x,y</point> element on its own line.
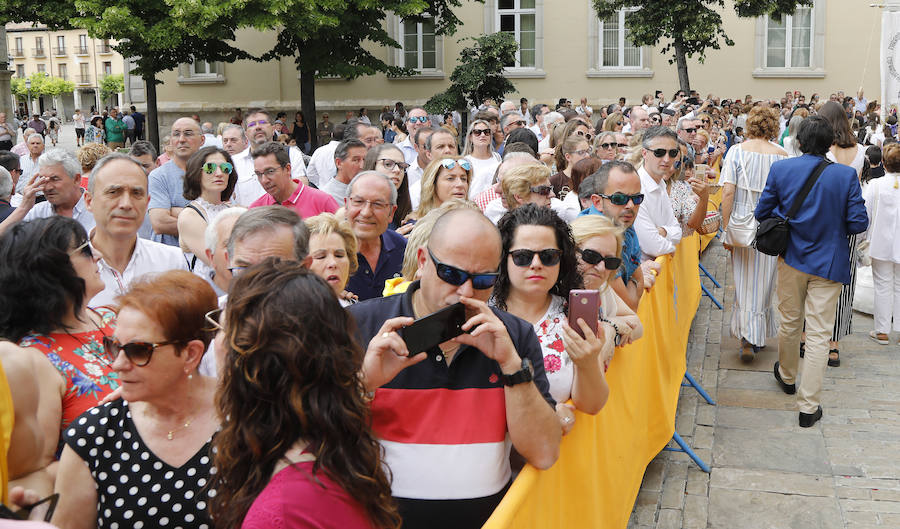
<point>479,74</point>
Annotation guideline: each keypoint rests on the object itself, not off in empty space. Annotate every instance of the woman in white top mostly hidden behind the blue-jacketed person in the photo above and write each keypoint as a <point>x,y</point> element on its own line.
<point>845,150</point>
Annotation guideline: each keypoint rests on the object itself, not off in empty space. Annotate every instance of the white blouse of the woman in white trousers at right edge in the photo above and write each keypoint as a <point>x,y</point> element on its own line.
<point>883,207</point>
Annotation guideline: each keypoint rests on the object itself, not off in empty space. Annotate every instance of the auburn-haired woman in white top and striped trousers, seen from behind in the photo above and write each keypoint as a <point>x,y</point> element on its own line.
<point>744,173</point>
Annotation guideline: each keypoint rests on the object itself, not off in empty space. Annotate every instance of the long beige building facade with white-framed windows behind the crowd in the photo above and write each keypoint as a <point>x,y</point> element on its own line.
<point>565,51</point>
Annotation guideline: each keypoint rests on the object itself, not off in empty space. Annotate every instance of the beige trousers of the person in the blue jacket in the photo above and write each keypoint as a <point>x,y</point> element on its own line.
<point>815,297</point>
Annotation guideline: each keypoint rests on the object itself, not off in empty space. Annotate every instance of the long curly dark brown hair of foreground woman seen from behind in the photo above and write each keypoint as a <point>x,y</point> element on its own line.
<point>287,379</point>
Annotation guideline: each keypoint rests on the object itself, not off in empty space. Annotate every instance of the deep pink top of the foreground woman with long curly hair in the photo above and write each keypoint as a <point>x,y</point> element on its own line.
<point>292,499</point>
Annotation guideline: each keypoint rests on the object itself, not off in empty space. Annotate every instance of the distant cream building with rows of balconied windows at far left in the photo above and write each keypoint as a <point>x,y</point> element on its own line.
<point>71,55</point>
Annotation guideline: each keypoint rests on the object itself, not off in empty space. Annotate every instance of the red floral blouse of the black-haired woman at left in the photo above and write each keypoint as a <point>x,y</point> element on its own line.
<point>82,361</point>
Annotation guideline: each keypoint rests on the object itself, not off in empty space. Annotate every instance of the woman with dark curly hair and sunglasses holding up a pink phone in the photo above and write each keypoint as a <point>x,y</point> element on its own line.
<point>538,269</point>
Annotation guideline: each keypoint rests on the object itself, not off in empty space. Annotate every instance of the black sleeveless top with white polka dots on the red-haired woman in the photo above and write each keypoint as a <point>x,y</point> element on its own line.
<point>136,489</point>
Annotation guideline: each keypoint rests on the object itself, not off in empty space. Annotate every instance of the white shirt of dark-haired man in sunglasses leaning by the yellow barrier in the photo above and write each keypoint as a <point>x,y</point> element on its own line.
<point>655,211</point>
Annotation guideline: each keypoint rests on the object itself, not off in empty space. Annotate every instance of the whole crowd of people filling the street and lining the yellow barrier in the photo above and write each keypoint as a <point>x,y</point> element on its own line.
<point>214,335</point>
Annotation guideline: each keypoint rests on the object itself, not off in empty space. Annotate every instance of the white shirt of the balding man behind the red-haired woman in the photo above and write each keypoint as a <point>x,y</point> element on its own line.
<point>148,257</point>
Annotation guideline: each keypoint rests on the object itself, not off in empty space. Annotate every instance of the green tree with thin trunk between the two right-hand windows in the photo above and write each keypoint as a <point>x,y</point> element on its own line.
<point>689,27</point>
